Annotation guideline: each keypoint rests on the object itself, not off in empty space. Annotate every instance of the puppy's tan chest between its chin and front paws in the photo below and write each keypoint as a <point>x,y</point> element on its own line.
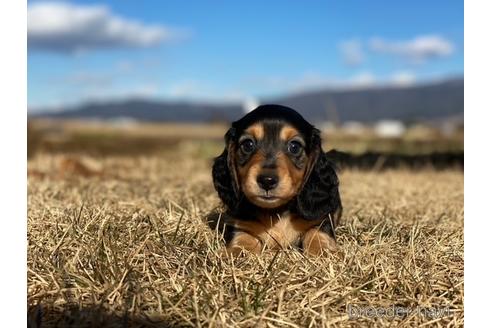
<point>277,230</point>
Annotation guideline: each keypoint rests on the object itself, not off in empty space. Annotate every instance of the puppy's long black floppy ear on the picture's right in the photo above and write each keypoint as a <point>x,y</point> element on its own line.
<point>319,195</point>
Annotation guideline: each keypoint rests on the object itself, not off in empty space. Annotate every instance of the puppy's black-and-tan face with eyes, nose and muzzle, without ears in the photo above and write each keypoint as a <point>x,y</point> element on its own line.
<point>271,162</point>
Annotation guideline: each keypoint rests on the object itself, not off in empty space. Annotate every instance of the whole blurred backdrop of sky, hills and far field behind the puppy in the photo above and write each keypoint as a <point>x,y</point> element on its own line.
<point>137,77</point>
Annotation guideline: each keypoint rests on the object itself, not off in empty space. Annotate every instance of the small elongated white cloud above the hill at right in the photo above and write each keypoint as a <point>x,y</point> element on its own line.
<point>417,50</point>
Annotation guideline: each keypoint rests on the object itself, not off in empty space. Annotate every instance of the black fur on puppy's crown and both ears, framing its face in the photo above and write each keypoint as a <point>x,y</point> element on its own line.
<point>319,197</point>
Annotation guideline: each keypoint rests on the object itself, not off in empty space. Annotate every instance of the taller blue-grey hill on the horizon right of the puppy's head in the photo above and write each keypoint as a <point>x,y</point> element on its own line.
<point>416,103</point>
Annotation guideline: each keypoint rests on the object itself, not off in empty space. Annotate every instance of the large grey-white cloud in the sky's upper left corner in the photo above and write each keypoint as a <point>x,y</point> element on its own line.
<point>69,28</point>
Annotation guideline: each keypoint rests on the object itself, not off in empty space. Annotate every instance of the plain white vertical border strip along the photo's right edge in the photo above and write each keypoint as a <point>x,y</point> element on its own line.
<point>478,164</point>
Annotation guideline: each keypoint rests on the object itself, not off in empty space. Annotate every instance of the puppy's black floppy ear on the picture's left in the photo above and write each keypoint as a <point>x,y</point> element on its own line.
<point>224,174</point>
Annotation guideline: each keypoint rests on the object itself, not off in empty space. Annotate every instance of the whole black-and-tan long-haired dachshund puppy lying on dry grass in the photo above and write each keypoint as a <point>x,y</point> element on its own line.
<point>277,185</point>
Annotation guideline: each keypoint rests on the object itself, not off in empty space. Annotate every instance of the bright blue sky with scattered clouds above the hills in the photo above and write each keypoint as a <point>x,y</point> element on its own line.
<point>234,50</point>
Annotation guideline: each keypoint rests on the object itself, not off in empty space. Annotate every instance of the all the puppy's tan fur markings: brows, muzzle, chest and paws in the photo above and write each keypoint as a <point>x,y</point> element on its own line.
<point>275,231</point>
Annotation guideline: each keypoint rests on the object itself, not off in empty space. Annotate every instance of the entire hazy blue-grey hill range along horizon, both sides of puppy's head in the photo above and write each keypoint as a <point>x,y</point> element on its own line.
<point>426,102</point>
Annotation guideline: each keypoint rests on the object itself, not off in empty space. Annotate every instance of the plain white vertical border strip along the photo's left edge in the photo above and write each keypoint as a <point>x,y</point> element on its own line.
<point>13,197</point>
